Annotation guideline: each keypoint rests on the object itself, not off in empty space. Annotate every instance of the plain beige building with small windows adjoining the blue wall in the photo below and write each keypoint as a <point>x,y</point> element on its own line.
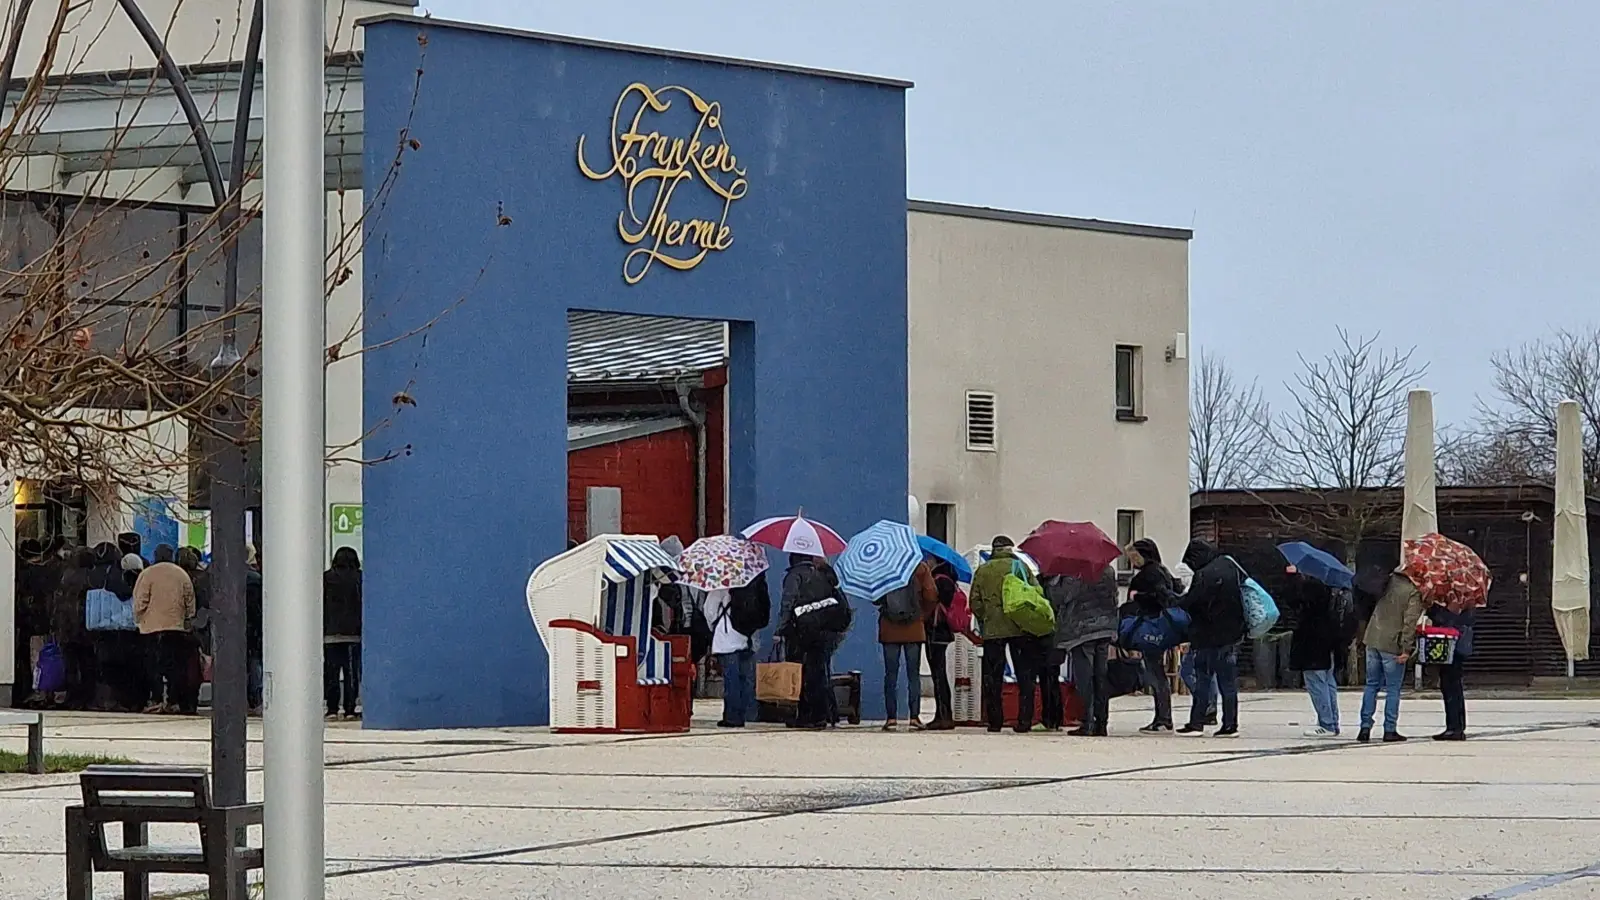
<point>1049,374</point>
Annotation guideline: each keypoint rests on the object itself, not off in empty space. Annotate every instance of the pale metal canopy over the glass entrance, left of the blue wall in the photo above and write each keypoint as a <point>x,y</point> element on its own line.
<point>87,129</point>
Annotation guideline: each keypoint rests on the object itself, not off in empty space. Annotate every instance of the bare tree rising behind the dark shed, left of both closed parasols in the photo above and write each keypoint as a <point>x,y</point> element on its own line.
<point>1345,432</point>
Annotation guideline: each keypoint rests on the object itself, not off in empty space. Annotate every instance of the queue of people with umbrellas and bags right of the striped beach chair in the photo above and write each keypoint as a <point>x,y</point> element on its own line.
<point>815,617</point>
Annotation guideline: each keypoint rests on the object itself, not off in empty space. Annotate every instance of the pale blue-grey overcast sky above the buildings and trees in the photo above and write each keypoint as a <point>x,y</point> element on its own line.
<point>1423,169</point>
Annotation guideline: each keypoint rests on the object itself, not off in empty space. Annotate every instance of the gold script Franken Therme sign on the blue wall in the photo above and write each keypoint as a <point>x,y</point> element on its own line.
<point>655,167</point>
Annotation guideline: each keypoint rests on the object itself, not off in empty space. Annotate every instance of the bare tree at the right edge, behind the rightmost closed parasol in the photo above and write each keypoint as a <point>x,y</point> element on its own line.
<point>1530,382</point>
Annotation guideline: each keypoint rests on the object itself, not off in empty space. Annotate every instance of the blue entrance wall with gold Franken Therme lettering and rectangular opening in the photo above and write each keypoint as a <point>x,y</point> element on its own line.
<point>551,175</point>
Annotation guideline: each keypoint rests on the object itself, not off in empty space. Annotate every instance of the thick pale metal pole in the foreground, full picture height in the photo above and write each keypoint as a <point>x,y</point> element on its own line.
<point>292,446</point>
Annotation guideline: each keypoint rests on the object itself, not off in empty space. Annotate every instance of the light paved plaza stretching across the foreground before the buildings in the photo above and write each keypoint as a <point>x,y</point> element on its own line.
<point>860,814</point>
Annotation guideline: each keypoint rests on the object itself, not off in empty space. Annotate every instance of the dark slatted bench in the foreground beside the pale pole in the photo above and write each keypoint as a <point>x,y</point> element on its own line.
<point>140,795</point>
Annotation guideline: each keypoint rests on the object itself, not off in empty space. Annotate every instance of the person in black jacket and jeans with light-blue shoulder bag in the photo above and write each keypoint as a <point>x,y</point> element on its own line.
<point>1217,613</point>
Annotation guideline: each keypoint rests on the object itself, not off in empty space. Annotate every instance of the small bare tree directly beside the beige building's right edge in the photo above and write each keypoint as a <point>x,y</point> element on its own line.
<point>1228,428</point>
